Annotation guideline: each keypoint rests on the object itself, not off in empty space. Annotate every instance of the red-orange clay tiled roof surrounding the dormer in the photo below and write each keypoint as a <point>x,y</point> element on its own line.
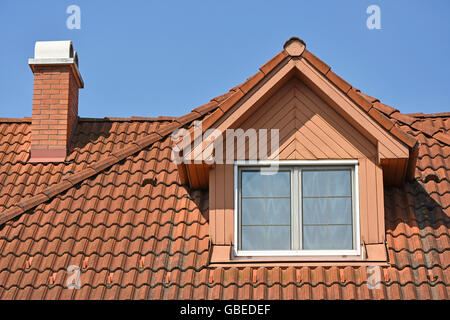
<point>119,210</point>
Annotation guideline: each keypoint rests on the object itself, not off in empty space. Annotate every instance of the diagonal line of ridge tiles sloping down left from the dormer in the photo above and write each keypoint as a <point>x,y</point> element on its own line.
<point>95,168</point>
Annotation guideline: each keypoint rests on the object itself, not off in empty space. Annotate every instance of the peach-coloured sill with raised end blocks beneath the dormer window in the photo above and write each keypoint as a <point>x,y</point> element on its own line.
<point>375,254</point>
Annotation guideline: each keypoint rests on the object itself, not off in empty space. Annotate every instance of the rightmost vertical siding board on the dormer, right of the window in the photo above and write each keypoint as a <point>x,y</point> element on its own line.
<point>372,210</point>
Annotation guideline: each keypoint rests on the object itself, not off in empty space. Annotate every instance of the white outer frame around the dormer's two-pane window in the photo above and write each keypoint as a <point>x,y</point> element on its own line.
<point>300,253</point>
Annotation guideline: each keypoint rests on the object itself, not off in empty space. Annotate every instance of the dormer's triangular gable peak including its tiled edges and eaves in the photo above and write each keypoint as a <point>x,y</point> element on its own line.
<point>319,116</point>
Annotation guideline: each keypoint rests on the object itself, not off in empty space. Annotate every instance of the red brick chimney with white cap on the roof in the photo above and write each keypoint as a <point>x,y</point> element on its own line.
<point>55,100</point>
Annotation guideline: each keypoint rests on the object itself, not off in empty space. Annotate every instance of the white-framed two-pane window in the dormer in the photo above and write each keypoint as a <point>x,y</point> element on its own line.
<point>302,208</point>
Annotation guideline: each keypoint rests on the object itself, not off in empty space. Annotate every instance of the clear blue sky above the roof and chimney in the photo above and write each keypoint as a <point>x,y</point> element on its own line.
<point>151,58</point>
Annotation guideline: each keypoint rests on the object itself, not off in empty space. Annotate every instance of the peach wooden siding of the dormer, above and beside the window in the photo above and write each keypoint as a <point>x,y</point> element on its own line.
<point>309,130</point>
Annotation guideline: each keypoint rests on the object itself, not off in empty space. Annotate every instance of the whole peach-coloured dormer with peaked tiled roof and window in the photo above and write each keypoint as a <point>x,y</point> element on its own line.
<point>295,162</point>
